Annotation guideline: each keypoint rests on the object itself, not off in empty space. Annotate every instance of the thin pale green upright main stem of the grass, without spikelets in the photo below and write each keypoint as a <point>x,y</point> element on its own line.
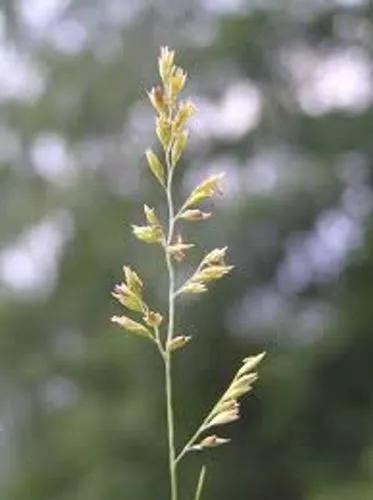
<point>170,333</point>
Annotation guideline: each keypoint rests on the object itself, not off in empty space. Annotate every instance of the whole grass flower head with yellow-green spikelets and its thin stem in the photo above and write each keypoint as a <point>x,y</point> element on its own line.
<point>171,118</point>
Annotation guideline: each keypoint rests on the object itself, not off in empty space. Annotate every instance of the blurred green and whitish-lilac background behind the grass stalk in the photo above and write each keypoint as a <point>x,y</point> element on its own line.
<point>285,92</point>
